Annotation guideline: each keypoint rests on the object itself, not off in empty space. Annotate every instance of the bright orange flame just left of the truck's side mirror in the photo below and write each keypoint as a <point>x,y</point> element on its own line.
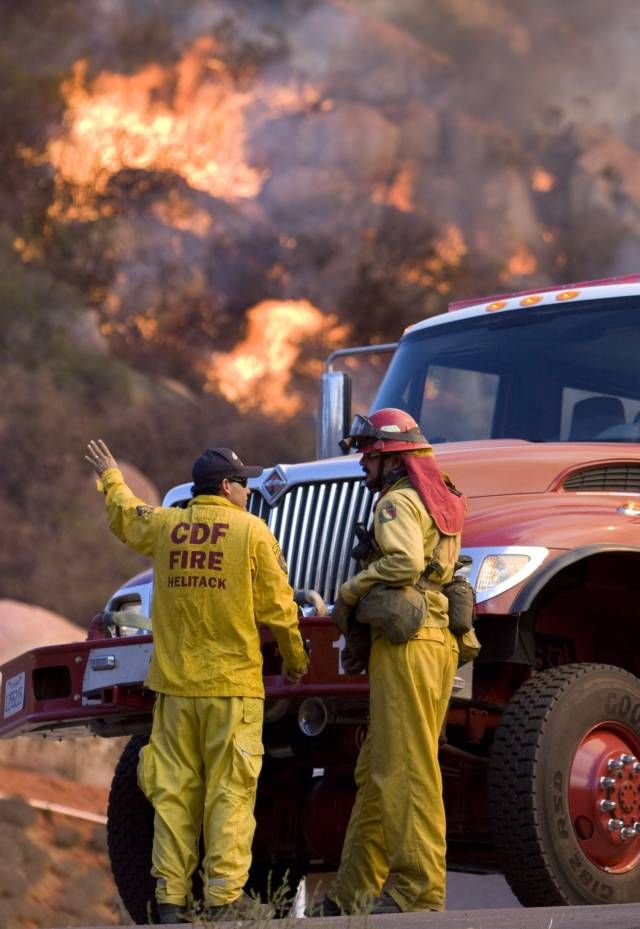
<point>257,373</point>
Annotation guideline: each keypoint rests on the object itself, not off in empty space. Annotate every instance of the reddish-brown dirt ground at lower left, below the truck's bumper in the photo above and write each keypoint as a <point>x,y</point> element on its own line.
<point>54,870</point>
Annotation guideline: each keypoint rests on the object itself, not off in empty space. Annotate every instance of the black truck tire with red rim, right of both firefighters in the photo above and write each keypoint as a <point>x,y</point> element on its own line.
<point>565,730</point>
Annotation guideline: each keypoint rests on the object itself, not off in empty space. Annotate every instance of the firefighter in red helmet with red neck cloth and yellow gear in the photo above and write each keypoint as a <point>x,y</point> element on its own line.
<point>396,834</point>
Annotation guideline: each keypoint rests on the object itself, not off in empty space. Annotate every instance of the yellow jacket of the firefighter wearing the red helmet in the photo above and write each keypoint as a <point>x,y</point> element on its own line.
<point>407,539</point>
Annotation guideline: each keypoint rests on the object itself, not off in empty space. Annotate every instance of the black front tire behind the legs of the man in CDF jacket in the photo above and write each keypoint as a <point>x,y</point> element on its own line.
<point>130,837</point>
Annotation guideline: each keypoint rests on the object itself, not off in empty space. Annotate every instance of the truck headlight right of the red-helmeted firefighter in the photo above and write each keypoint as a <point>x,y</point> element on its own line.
<point>494,570</point>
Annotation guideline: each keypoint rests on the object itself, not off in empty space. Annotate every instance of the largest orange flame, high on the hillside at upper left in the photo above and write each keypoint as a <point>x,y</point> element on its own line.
<point>188,118</point>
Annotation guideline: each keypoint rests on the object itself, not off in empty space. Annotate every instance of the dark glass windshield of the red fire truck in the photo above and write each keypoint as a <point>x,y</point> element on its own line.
<point>549,374</point>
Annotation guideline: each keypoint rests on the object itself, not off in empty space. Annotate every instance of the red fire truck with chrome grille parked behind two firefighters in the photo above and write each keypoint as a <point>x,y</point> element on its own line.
<point>532,403</point>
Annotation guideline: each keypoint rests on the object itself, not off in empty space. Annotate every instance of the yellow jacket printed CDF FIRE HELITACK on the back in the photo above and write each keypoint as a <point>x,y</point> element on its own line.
<point>218,573</point>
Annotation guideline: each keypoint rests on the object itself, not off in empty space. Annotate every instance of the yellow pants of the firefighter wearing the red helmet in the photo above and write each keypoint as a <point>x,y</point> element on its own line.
<point>397,829</point>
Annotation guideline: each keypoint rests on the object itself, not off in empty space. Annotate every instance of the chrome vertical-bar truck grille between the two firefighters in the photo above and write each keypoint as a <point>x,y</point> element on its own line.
<point>314,524</point>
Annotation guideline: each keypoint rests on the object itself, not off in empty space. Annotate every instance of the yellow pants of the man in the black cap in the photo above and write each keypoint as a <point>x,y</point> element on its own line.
<point>200,771</point>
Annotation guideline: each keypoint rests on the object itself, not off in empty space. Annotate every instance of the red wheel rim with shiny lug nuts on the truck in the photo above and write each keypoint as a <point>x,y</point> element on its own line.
<point>606,771</point>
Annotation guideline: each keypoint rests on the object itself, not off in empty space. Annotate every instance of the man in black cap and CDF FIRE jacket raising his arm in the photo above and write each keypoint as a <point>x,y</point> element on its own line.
<point>218,573</point>
